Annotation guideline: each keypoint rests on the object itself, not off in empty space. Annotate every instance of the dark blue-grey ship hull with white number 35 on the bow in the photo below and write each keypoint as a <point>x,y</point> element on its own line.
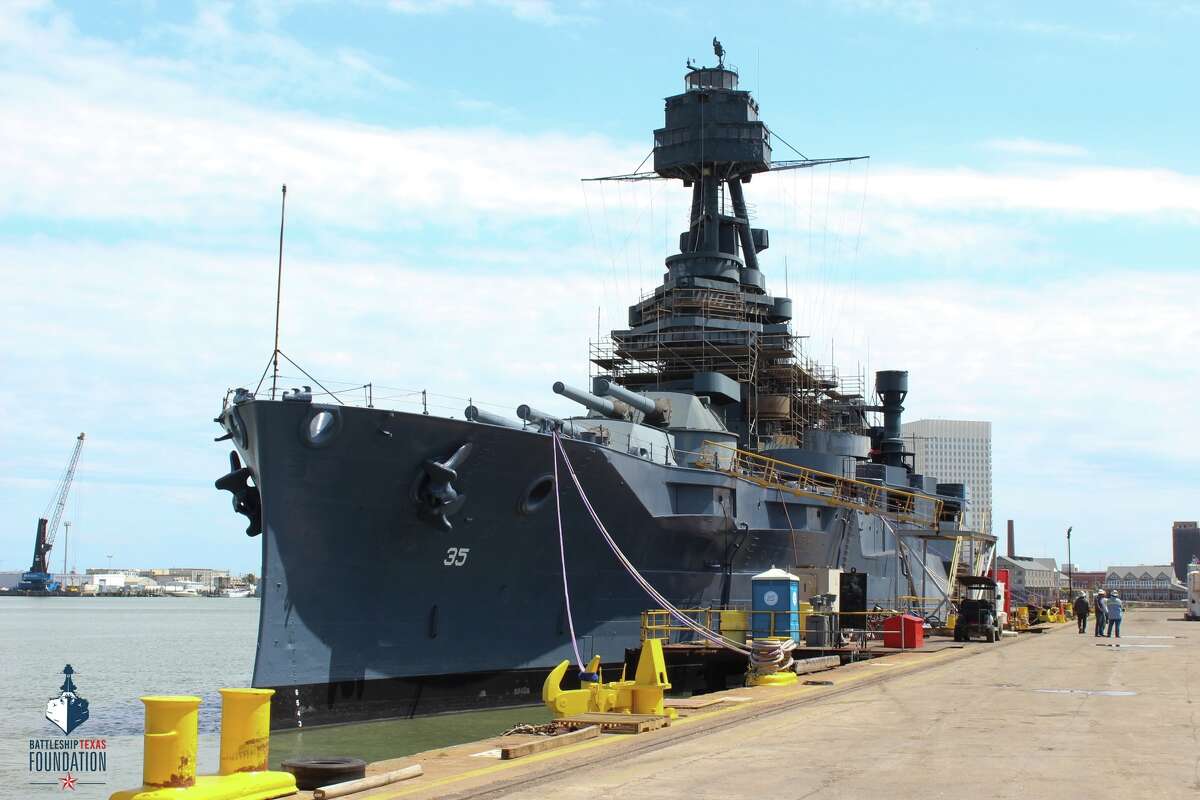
<point>373,610</point>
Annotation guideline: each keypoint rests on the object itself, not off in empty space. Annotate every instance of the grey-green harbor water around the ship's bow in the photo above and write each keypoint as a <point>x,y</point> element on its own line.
<point>123,648</point>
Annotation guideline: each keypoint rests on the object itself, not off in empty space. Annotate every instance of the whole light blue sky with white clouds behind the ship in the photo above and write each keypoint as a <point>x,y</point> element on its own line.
<point>1024,238</point>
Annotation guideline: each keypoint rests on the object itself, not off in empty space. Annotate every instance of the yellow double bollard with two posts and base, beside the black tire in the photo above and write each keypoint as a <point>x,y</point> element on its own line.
<point>171,745</point>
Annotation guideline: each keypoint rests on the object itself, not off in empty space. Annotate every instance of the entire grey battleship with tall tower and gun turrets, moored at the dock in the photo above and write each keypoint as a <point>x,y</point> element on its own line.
<point>412,563</point>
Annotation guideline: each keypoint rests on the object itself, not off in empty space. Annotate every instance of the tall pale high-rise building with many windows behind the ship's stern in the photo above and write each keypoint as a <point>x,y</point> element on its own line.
<point>957,452</point>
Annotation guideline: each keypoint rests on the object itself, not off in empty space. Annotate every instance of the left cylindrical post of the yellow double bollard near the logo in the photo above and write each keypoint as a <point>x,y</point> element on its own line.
<point>172,735</point>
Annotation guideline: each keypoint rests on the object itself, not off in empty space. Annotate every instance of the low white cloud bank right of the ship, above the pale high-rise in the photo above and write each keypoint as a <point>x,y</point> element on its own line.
<point>1087,383</point>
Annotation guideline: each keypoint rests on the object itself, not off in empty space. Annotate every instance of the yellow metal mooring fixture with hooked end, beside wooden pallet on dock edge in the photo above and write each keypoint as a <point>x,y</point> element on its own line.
<point>644,695</point>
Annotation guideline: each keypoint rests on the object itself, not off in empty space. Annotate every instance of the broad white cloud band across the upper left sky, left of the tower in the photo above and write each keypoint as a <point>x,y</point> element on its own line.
<point>82,119</point>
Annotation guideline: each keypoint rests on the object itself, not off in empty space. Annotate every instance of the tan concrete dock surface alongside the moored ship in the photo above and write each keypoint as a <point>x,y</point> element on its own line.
<point>1053,714</point>
